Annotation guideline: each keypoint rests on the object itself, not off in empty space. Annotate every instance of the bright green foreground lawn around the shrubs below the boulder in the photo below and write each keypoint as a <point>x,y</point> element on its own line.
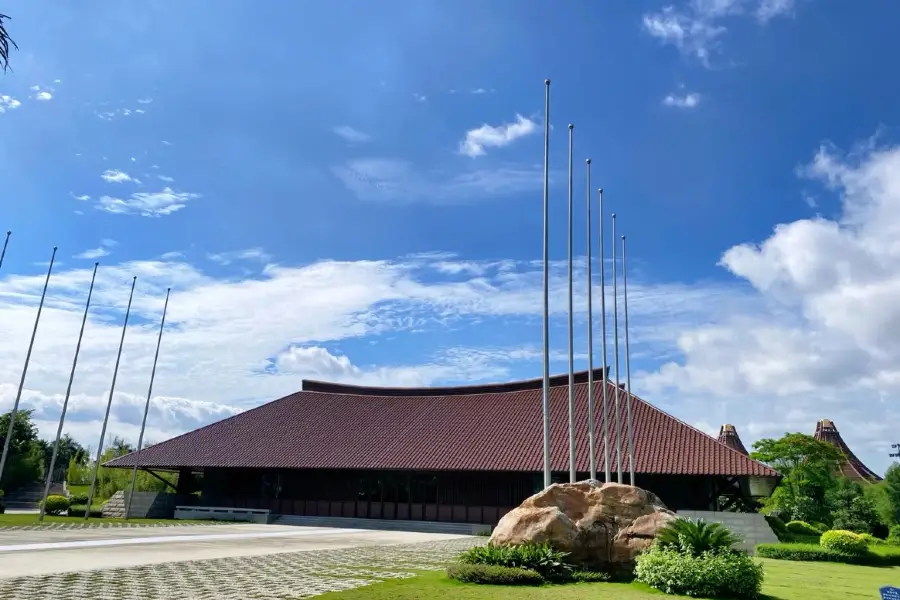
<point>785,580</point>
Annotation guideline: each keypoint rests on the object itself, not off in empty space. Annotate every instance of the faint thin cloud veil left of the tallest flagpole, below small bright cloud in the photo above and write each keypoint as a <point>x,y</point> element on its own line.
<point>391,180</point>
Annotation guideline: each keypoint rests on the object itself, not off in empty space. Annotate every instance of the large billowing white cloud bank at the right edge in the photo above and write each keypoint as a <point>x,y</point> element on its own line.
<point>828,343</point>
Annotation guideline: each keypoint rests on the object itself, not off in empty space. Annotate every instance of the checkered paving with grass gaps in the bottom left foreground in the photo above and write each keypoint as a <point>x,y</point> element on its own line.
<point>271,577</point>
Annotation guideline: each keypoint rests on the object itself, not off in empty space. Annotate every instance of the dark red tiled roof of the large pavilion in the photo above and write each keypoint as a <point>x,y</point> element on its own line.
<point>349,427</point>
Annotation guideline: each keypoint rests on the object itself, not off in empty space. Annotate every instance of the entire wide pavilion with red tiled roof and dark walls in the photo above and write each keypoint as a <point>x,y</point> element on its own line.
<point>457,454</point>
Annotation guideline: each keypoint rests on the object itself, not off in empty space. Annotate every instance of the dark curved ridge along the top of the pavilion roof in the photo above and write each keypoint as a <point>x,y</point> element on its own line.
<point>328,387</point>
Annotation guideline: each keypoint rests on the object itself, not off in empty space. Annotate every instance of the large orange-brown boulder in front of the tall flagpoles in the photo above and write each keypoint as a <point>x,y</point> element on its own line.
<point>601,526</point>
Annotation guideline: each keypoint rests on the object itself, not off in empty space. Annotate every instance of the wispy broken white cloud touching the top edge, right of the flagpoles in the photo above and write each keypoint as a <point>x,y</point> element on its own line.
<point>697,28</point>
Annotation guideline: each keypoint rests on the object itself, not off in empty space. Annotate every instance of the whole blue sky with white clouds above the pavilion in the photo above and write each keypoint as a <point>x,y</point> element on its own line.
<point>351,191</point>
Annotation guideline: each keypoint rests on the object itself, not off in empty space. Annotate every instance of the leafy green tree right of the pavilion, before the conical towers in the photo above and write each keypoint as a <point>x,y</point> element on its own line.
<point>807,466</point>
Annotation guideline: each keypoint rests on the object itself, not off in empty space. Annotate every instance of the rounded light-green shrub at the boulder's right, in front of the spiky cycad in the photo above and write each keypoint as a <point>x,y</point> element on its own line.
<point>712,574</point>
